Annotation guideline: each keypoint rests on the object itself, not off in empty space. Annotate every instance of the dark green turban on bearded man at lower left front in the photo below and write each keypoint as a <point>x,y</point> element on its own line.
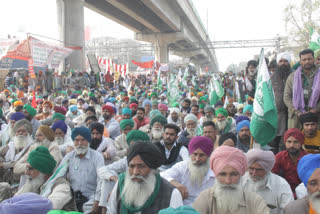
<point>42,160</point>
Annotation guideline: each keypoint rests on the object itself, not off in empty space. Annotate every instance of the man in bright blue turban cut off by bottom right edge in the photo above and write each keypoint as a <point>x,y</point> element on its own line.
<point>309,172</point>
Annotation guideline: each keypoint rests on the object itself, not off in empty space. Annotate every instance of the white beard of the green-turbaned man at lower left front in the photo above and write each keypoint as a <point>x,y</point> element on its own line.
<point>32,184</point>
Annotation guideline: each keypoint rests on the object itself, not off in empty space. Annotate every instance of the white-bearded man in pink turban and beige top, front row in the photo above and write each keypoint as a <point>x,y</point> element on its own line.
<point>227,195</point>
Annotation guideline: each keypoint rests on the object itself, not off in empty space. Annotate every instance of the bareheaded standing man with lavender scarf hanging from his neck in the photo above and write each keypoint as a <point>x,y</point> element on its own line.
<point>302,92</point>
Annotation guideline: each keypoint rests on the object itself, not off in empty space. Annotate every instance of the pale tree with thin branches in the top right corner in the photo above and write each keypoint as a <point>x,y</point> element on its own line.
<point>298,20</point>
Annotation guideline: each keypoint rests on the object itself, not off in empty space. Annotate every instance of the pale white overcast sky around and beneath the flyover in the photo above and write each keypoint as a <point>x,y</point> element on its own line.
<point>227,20</point>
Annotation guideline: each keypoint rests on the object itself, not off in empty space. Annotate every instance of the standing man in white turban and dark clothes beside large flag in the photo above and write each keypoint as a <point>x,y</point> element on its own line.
<point>278,80</point>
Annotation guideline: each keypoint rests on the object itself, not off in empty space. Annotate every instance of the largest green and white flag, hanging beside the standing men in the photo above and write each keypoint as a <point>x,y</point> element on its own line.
<point>264,119</point>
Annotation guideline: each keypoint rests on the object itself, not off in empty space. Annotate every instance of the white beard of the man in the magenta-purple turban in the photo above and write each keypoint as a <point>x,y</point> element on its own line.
<point>197,173</point>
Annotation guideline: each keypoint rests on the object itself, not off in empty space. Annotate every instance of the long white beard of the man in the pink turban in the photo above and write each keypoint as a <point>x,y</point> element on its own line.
<point>227,197</point>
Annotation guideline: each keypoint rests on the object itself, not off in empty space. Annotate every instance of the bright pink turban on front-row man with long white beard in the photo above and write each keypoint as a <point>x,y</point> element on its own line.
<point>228,156</point>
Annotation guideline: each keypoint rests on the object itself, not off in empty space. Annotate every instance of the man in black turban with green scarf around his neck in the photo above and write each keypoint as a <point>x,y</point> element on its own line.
<point>141,188</point>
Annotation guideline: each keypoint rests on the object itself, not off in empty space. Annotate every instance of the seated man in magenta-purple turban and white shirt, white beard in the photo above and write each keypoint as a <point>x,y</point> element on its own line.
<point>194,175</point>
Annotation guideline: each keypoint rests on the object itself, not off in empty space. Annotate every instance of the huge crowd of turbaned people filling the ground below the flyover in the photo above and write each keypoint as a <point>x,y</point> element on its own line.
<point>103,144</point>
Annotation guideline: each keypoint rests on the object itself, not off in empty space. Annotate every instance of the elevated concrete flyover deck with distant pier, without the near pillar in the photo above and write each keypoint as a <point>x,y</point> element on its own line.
<point>168,24</point>
